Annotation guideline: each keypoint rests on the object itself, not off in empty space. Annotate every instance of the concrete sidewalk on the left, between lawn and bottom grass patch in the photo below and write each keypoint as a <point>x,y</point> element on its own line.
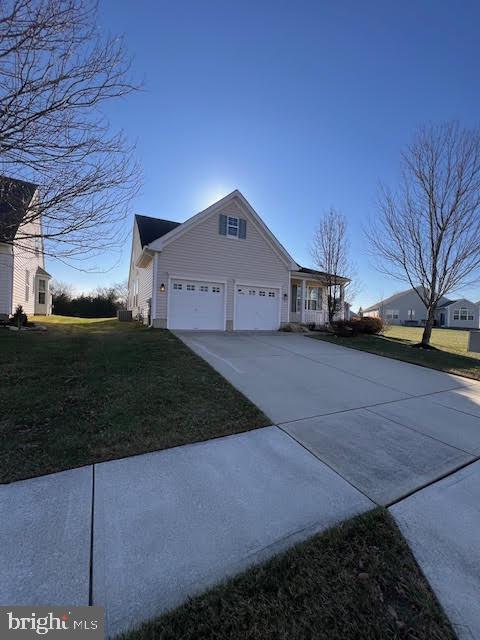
<point>140,535</point>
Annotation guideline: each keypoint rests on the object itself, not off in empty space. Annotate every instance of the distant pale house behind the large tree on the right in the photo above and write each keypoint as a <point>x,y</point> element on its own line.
<point>406,308</point>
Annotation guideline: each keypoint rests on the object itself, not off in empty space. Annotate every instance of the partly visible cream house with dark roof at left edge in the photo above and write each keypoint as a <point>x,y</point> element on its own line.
<point>23,279</point>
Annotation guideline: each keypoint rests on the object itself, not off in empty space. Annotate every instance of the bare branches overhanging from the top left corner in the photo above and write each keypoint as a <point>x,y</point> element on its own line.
<point>56,73</point>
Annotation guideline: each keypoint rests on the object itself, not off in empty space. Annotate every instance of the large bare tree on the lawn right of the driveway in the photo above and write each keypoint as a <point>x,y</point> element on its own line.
<point>428,233</point>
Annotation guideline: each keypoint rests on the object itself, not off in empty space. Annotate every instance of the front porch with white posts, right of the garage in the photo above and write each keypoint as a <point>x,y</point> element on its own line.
<point>309,299</point>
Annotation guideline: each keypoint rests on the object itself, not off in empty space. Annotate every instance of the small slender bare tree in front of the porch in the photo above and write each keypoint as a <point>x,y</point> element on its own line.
<point>331,254</point>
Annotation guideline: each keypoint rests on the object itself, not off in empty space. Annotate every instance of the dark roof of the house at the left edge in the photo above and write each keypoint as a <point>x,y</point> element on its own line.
<point>15,197</point>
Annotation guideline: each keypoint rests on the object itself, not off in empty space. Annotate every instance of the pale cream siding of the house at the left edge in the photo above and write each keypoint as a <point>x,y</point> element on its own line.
<point>25,264</point>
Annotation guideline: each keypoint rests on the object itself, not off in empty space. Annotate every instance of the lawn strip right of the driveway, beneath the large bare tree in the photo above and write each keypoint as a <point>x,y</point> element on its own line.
<point>452,355</point>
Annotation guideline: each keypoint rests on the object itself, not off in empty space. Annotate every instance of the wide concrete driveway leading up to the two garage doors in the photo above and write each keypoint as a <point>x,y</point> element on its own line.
<point>387,427</point>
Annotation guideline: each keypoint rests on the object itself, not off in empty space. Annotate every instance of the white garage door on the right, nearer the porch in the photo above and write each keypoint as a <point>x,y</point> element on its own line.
<point>257,308</point>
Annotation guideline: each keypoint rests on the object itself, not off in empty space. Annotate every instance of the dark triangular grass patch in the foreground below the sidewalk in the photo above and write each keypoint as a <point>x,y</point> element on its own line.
<point>358,580</point>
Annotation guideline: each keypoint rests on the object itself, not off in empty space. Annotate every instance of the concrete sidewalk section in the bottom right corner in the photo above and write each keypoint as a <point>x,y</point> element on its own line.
<point>442,525</point>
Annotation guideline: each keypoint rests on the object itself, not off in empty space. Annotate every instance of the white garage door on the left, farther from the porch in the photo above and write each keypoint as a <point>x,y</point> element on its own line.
<point>196,305</point>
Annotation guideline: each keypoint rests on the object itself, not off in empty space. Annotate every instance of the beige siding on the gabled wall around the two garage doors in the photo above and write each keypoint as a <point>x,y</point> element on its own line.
<point>203,252</point>
